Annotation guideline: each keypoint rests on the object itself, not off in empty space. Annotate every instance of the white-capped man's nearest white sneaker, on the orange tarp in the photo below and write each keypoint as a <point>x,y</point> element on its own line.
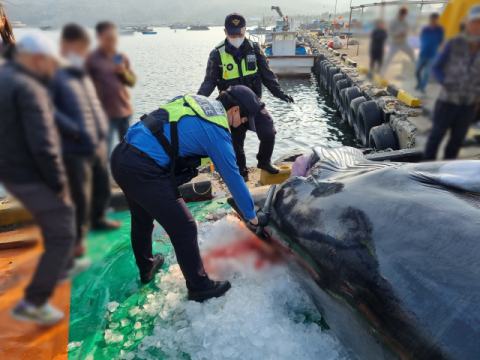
<point>43,315</point>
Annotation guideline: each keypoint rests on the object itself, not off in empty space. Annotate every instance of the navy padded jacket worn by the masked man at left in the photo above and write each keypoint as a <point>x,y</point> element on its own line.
<point>78,112</point>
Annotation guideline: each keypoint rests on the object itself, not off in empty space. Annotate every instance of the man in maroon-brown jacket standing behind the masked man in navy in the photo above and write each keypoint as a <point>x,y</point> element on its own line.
<point>111,73</point>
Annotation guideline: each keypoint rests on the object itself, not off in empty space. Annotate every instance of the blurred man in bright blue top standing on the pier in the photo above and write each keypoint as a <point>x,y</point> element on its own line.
<point>430,40</point>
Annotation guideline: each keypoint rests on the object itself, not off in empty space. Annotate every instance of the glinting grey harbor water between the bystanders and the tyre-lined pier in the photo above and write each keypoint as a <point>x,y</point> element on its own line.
<point>172,63</point>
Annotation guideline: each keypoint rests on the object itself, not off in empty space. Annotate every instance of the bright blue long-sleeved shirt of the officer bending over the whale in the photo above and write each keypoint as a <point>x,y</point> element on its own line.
<point>199,137</point>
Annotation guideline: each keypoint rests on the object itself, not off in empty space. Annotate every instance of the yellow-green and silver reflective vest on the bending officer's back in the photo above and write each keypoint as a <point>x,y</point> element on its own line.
<point>200,106</point>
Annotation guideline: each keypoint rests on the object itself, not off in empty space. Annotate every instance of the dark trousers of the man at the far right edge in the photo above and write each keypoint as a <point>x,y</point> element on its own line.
<point>447,116</point>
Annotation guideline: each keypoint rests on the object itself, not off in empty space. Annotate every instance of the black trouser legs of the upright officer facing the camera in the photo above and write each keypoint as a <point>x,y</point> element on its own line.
<point>266,134</point>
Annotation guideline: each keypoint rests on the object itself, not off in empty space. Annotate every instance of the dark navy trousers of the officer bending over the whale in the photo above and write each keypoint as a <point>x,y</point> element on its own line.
<point>149,195</point>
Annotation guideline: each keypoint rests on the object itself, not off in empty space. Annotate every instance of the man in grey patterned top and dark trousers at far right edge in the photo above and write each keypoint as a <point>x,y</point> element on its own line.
<point>458,70</point>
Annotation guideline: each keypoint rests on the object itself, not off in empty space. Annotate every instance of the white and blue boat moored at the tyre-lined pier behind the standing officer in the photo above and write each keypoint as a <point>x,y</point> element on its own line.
<point>287,56</point>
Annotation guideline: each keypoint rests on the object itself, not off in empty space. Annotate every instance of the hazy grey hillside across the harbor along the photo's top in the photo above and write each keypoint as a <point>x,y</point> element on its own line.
<point>88,12</point>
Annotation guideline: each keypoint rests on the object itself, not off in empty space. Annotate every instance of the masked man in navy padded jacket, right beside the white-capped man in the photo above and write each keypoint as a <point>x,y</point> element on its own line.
<point>83,126</point>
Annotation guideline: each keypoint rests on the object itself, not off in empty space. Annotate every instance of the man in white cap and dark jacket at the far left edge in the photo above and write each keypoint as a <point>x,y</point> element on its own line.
<point>32,169</point>
